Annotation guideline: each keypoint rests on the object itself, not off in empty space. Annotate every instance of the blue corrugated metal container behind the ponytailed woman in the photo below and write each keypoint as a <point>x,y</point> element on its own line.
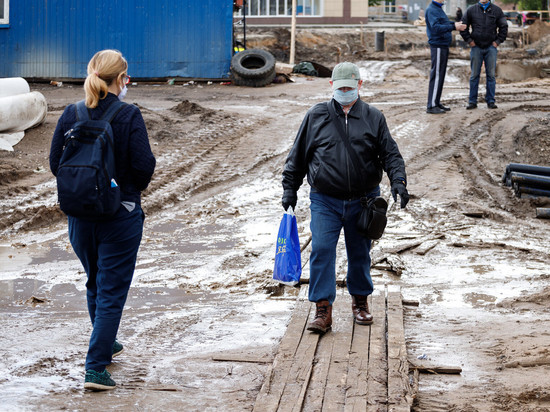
<point>56,38</point>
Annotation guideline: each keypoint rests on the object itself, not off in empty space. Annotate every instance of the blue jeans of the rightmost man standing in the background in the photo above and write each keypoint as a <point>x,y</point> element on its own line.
<point>477,57</point>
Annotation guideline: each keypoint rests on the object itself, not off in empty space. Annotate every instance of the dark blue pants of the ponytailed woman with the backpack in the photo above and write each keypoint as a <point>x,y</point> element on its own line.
<point>108,252</point>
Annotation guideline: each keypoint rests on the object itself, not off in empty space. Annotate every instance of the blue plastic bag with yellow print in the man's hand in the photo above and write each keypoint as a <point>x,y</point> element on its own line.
<point>288,259</point>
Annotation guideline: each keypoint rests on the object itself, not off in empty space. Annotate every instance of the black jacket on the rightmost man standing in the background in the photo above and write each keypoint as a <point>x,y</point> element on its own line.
<point>484,26</point>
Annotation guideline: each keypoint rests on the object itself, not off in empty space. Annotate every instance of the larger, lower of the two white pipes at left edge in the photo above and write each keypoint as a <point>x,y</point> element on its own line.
<point>21,112</point>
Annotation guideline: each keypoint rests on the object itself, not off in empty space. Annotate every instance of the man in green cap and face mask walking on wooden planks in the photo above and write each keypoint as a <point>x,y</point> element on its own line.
<point>337,186</point>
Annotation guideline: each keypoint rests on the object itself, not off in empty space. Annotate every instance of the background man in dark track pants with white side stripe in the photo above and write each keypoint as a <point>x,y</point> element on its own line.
<point>439,29</point>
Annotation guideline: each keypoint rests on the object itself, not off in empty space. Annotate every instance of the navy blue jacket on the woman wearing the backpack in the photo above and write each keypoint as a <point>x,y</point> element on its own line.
<point>135,163</point>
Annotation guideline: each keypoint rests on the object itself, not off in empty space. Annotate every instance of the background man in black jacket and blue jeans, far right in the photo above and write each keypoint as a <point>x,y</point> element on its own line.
<point>486,29</point>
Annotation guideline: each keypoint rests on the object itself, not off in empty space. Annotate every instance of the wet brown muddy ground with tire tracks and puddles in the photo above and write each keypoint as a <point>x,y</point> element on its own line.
<point>202,288</point>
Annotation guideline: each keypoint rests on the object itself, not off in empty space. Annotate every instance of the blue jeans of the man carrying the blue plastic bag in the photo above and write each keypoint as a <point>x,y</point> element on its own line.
<point>328,216</point>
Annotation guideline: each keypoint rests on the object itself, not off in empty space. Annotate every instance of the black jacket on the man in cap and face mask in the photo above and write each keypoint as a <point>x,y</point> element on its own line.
<point>319,152</point>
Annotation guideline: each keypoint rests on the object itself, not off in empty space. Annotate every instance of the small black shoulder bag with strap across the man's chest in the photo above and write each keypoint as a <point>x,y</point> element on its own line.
<point>372,219</point>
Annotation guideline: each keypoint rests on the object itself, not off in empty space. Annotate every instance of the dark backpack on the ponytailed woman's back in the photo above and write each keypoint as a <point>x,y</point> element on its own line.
<point>86,181</point>
